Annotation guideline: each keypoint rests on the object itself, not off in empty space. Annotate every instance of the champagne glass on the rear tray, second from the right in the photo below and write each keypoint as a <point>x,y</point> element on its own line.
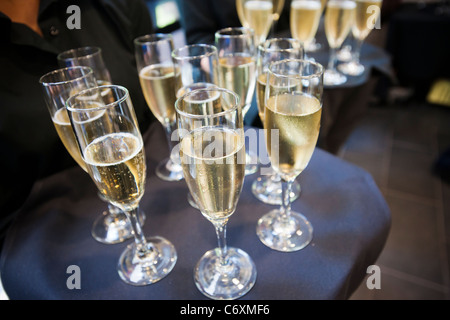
<point>339,17</point>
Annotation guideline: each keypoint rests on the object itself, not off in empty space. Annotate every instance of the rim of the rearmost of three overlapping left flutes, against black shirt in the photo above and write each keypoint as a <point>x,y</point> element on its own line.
<point>86,56</point>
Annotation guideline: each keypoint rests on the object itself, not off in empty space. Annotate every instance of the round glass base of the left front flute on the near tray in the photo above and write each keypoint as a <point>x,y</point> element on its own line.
<point>150,267</point>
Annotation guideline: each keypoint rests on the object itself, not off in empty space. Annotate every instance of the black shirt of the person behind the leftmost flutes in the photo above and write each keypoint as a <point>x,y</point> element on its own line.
<point>29,145</point>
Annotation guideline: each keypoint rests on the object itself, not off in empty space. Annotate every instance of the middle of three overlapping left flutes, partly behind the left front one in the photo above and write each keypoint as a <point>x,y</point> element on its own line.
<point>58,85</point>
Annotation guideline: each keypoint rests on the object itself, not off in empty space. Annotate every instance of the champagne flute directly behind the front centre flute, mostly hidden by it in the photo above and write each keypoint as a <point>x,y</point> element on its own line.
<point>197,64</point>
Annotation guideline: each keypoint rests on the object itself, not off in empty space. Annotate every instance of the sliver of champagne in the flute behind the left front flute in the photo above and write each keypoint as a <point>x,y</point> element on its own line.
<point>67,136</point>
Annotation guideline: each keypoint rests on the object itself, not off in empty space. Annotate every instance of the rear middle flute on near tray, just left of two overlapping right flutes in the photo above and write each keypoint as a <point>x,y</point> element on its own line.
<point>237,72</point>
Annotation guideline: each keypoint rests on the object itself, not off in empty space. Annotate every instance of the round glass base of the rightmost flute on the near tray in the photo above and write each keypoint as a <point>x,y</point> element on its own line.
<point>291,235</point>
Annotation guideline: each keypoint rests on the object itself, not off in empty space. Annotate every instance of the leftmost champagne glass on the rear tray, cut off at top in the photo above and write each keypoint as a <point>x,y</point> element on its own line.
<point>257,15</point>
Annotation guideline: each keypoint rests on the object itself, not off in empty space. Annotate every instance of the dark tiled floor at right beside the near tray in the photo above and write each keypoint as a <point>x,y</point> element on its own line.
<point>398,144</point>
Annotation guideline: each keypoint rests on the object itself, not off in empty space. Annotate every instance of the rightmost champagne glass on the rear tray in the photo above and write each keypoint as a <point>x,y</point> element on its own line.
<point>365,18</point>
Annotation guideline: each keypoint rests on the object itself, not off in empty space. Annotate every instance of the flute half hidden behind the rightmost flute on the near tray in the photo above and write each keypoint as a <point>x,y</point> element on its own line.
<point>267,187</point>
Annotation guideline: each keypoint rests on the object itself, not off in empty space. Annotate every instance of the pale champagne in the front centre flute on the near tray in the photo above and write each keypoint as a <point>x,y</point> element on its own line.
<point>213,161</point>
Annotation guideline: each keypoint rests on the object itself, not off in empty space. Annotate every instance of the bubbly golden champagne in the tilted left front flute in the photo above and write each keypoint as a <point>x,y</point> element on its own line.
<point>116,163</point>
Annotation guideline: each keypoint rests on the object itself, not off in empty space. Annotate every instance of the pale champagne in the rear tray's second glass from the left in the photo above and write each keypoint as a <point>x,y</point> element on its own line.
<point>305,18</point>
